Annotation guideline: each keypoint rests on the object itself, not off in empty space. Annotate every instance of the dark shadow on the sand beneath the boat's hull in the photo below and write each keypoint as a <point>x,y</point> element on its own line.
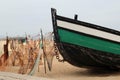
<point>96,73</point>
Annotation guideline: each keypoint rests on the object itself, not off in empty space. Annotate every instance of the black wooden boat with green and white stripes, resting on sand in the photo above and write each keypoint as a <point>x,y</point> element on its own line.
<point>86,45</point>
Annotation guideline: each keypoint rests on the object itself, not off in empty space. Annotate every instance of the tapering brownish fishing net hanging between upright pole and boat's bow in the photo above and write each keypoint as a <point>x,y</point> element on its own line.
<point>49,48</point>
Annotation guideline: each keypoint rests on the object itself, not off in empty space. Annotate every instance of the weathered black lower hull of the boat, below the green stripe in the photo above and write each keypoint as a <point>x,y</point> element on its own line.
<point>85,57</point>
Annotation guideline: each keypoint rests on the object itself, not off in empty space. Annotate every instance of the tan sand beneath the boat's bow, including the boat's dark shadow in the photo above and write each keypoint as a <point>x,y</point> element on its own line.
<point>65,71</point>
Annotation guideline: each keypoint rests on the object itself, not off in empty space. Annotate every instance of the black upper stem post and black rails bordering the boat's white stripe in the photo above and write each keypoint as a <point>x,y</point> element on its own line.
<point>56,17</point>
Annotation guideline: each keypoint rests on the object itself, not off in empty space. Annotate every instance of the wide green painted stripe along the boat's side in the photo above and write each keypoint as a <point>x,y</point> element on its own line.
<point>89,42</point>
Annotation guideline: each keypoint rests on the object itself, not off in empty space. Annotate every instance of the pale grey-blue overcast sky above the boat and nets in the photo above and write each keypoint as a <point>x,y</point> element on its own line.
<point>18,17</point>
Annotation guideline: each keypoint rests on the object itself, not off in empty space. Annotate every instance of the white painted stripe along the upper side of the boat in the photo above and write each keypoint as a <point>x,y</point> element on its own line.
<point>88,30</point>
